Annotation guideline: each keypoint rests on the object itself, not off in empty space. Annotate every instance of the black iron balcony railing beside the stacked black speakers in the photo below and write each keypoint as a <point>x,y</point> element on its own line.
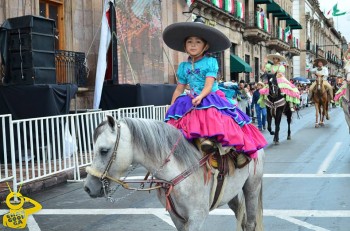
<point>70,67</point>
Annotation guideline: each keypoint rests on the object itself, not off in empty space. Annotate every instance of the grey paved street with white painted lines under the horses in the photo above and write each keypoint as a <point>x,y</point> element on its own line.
<point>306,187</point>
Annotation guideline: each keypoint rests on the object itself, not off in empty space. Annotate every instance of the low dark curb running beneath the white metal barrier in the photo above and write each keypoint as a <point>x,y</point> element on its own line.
<point>45,183</point>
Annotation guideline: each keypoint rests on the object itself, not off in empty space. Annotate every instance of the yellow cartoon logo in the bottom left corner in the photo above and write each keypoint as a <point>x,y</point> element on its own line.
<point>17,217</point>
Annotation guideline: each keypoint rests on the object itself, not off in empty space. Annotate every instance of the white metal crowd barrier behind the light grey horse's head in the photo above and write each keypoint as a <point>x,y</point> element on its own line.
<point>41,147</point>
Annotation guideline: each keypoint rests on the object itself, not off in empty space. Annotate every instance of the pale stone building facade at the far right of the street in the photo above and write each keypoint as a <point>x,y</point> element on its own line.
<point>318,38</point>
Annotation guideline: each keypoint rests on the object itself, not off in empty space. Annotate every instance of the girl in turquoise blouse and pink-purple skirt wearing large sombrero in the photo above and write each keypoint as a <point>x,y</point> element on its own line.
<point>205,115</point>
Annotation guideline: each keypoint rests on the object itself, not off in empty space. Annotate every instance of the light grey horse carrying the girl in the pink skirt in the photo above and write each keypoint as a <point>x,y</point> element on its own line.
<point>165,153</point>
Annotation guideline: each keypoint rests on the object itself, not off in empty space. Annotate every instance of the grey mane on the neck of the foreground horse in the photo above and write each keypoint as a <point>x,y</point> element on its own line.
<point>157,139</point>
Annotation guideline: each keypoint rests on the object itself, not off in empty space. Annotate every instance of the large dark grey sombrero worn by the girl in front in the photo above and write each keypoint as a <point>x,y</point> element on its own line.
<point>175,34</point>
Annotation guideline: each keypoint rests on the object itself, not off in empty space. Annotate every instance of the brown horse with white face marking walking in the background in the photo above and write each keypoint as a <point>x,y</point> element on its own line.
<point>320,98</point>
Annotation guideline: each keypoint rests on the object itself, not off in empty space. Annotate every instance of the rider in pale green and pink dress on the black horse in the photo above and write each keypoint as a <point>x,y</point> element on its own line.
<point>288,89</point>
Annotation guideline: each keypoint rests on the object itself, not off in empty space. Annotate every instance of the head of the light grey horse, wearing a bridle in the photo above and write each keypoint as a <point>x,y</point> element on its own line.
<point>111,158</point>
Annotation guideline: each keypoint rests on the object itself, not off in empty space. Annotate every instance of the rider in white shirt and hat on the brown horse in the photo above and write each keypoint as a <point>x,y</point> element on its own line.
<point>321,71</point>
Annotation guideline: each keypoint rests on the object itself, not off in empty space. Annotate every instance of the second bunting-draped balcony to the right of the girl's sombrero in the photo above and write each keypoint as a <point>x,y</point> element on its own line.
<point>257,28</point>
